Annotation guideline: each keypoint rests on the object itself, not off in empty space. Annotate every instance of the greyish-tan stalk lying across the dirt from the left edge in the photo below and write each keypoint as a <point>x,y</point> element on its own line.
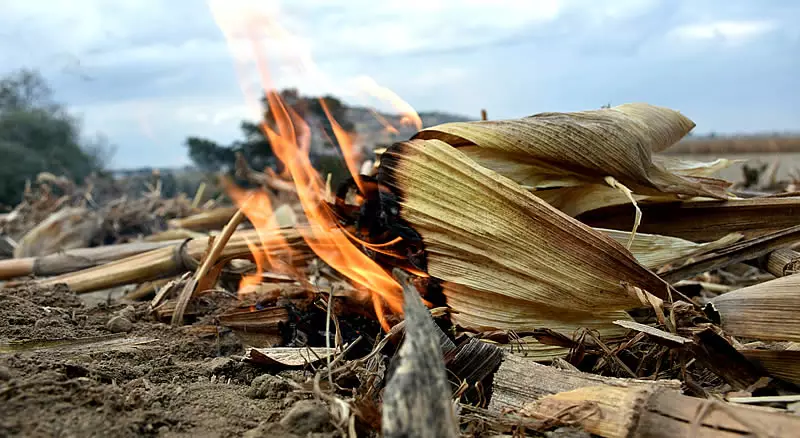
<point>75,259</point>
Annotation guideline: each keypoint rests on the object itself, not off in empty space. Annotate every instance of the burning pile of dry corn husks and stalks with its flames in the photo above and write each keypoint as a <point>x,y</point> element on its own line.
<point>560,238</point>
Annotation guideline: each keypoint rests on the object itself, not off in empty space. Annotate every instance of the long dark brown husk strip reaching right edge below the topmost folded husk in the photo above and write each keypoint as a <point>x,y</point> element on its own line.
<point>702,220</point>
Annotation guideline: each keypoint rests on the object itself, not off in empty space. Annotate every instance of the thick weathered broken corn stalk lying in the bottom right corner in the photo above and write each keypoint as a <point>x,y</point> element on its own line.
<point>612,407</point>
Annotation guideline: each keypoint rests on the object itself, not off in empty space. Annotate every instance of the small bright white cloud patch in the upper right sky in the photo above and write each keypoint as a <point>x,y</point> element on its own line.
<point>726,31</point>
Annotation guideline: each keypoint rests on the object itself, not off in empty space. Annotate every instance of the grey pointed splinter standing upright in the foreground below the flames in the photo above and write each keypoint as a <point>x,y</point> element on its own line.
<point>417,400</point>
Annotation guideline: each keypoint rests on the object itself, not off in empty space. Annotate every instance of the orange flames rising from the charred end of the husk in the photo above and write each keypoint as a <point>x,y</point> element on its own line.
<point>290,140</point>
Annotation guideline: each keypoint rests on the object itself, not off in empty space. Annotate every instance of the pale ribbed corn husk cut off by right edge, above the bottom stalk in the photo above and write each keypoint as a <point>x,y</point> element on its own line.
<point>768,311</point>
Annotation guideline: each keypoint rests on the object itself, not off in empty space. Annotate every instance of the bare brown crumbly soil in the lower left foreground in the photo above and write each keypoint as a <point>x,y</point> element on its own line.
<point>72,370</point>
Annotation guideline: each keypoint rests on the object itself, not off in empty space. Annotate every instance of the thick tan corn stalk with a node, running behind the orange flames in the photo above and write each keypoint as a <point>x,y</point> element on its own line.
<point>169,261</point>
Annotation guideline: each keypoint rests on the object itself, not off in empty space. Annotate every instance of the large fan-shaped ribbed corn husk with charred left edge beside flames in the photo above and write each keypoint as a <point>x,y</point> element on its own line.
<point>483,231</point>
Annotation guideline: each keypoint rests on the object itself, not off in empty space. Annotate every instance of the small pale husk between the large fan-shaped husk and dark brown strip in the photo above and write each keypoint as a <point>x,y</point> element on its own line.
<point>654,251</point>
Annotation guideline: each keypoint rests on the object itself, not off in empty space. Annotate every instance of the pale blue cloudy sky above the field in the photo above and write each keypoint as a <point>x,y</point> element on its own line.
<point>148,73</point>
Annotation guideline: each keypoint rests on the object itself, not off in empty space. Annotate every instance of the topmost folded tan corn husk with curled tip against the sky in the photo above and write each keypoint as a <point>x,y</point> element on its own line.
<point>569,149</point>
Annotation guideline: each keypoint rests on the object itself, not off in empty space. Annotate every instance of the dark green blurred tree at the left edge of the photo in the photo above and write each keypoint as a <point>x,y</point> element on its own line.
<point>38,134</point>
